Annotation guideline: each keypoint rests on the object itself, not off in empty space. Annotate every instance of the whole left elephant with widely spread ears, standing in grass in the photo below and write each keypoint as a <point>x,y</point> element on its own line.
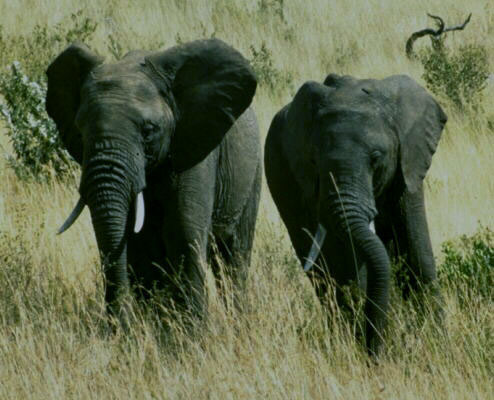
<point>171,160</point>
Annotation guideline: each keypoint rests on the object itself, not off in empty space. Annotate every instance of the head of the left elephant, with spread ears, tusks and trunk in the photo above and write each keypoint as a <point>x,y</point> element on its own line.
<point>120,121</point>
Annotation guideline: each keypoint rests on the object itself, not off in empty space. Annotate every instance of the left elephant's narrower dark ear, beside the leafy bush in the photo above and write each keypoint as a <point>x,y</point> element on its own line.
<point>66,75</point>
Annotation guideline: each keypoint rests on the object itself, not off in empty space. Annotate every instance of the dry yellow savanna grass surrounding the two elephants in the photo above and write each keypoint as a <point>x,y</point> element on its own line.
<point>52,338</point>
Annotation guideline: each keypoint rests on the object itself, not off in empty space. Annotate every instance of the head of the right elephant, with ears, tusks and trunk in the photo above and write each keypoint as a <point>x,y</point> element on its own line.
<point>348,142</point>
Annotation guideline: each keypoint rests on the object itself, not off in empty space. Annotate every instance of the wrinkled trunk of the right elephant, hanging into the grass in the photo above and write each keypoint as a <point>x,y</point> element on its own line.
<point>353,220</point>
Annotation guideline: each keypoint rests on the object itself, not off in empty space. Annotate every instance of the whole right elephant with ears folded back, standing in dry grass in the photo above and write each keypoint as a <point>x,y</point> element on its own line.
<point>347,153</point>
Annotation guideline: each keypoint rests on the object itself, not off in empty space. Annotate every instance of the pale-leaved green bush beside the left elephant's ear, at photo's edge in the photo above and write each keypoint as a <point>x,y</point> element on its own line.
<point>38,151</point>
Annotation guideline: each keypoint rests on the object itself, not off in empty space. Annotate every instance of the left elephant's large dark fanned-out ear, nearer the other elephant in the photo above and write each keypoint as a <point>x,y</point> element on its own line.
<point>212,84</point>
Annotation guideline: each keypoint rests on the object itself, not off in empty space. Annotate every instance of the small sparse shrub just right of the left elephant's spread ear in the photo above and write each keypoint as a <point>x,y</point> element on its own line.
<point>267,73</point>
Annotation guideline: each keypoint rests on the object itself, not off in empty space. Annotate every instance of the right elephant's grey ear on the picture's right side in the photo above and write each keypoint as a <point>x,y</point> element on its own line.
<point>420,120</point>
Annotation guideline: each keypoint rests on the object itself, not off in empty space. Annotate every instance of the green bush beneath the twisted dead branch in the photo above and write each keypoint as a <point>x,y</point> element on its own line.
<point>460,76</point>
